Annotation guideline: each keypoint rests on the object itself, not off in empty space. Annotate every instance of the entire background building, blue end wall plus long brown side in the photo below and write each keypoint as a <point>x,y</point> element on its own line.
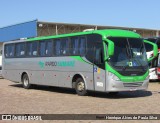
<point>39,28</point>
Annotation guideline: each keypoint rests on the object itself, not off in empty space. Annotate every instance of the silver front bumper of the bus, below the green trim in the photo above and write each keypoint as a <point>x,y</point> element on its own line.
<point>115,86</point>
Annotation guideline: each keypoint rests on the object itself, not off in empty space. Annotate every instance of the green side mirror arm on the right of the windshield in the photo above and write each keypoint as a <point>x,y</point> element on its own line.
<point>155,49</point>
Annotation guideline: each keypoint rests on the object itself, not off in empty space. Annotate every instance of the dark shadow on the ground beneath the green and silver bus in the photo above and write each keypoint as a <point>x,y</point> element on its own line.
<point>127,94</point>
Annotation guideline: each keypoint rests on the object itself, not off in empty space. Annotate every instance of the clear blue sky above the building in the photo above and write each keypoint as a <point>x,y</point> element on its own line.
<point>124,13</point>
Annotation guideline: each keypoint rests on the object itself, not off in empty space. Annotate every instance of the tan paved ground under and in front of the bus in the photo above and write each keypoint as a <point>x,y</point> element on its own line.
<point>51,100</point>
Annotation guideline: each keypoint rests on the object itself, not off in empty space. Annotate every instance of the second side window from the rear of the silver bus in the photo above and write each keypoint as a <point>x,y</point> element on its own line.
<point>20,49</point>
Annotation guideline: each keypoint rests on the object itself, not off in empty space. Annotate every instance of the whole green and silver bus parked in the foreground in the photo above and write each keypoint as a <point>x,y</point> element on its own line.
<point>101,60</point>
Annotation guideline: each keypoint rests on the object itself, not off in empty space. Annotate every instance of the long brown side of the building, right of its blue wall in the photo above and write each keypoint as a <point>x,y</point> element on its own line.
<point>52,28</point>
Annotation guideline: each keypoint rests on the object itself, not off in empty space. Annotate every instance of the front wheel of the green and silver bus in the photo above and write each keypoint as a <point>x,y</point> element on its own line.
<point>80,87</point>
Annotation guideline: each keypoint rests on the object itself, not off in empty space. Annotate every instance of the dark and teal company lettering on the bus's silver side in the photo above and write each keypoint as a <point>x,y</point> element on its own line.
<point>60,63</point>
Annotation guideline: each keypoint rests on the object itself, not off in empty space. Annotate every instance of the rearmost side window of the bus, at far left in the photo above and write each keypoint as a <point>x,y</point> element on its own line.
<point>9,50</point>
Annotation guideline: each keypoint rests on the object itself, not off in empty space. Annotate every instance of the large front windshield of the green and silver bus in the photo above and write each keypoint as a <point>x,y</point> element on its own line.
<point>128,52</point>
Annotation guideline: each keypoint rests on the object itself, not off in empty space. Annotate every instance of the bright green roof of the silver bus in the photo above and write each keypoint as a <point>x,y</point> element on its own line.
<point>105,33</point>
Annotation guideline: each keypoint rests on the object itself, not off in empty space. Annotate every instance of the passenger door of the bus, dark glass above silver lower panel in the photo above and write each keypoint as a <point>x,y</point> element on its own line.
<point>99,68</point>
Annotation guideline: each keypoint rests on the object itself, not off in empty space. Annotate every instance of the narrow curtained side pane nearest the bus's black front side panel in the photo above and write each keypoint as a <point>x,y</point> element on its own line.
<point>82,46</point>
